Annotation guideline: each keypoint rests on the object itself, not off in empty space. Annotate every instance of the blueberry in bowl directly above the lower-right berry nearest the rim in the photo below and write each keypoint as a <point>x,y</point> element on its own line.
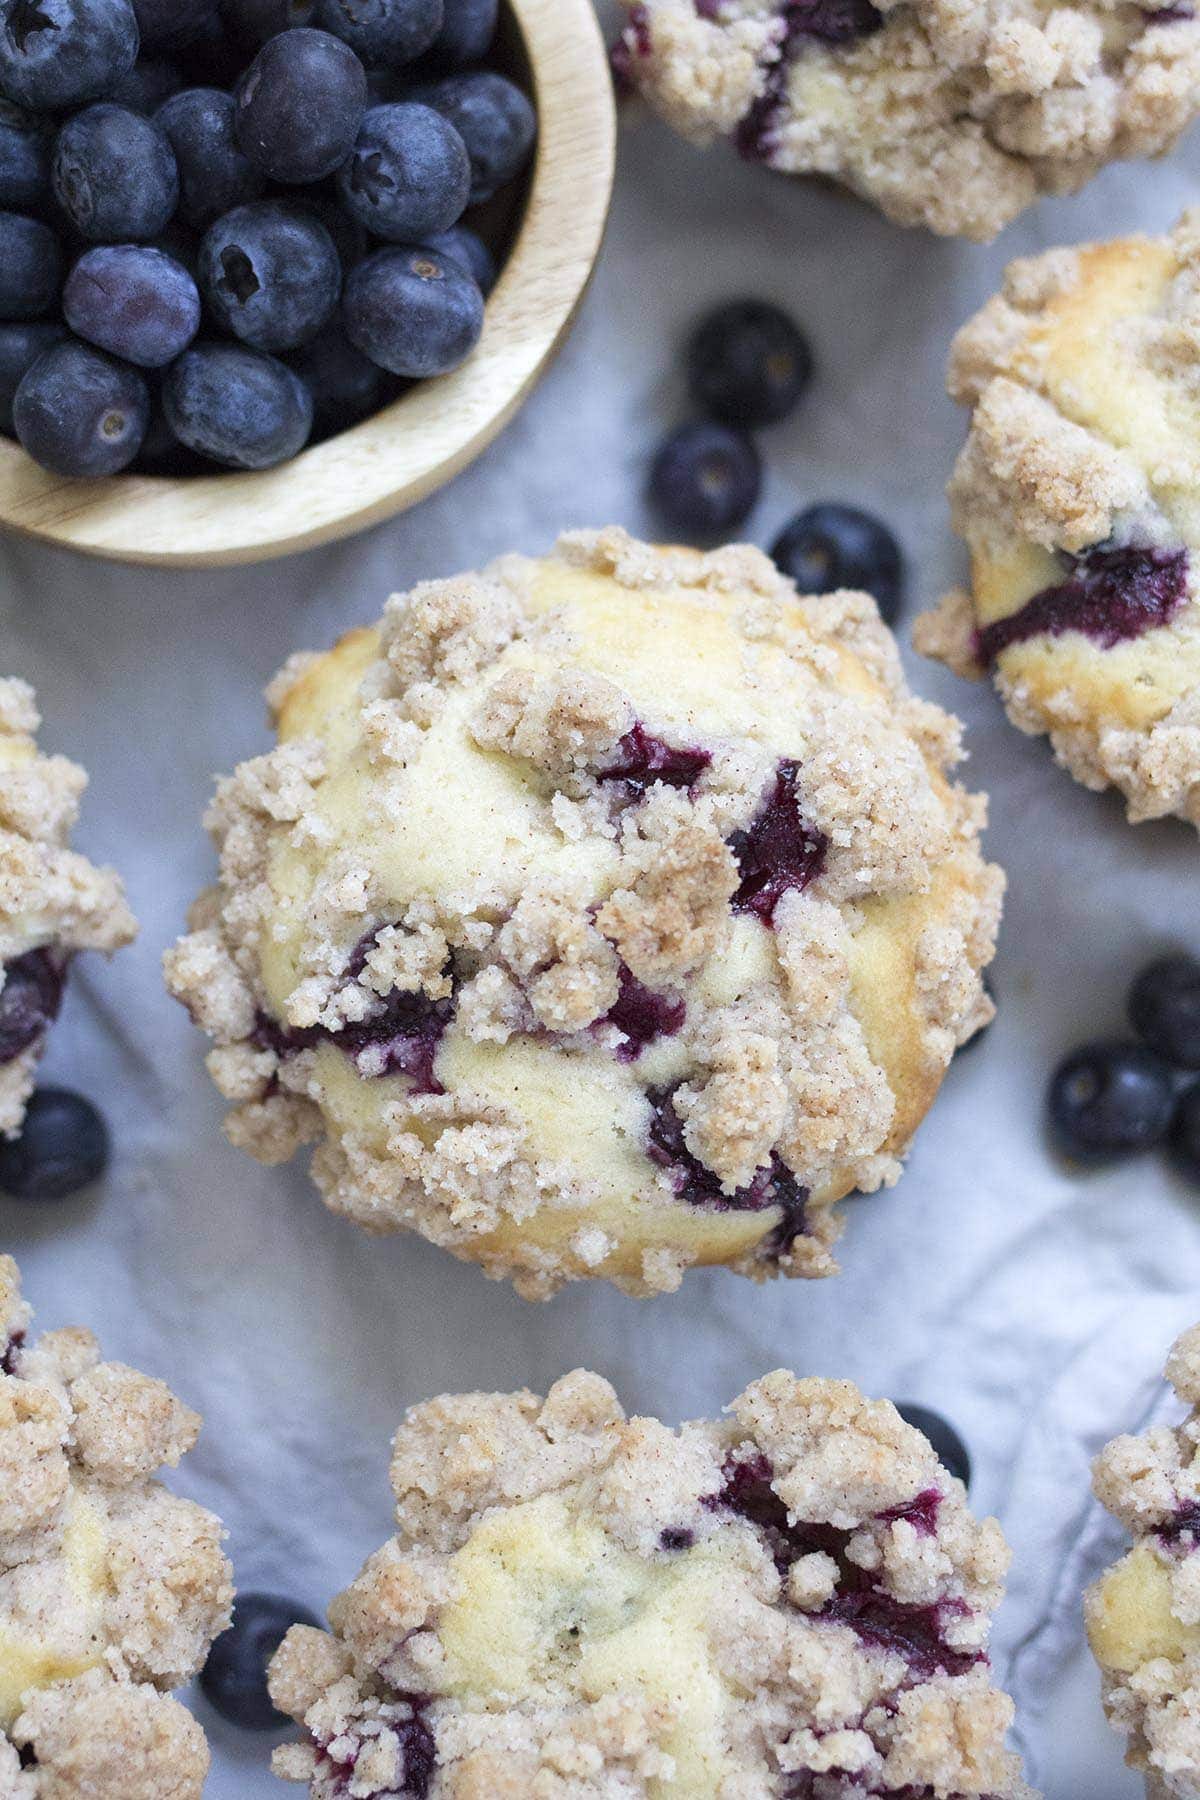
<point>409,174</point>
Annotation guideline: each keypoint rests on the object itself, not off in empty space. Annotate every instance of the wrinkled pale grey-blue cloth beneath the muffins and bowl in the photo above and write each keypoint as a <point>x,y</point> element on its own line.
<point>1028,1304</point>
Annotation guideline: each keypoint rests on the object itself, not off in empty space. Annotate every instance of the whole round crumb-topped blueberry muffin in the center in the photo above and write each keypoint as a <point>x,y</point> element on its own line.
<point>596,915</point>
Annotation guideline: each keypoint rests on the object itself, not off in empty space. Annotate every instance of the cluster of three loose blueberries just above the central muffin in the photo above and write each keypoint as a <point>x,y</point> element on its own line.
<point>749,366</point>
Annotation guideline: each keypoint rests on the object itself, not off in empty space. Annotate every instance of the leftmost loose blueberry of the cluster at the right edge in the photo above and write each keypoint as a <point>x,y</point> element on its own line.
<point>1111,1099</point>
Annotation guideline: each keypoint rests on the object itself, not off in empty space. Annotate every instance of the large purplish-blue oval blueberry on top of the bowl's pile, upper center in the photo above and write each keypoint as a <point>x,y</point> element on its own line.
<point>300,105</point>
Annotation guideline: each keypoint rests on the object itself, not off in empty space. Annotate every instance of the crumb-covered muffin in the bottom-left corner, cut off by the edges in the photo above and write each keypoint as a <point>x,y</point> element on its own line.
<point>111,1588</point>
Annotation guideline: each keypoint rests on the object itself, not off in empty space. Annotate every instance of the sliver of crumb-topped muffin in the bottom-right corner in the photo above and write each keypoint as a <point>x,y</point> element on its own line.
<point>1143,1615</point>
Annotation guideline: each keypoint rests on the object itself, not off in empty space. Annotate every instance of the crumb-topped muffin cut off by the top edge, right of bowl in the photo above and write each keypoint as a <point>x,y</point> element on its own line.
<point>945,116</point>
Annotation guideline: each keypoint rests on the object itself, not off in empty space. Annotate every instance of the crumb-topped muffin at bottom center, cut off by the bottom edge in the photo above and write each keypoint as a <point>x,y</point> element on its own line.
<point>794,1603</point>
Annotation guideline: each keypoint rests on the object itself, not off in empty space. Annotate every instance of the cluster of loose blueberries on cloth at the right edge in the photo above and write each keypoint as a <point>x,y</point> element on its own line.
<point>1125,1095</point>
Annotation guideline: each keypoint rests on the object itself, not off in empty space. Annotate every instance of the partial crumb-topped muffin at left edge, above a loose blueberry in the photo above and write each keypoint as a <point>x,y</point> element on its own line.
<point>53,903</point>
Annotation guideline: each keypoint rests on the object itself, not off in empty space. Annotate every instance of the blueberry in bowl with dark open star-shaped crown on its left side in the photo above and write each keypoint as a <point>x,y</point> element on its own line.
<point>271,274</point>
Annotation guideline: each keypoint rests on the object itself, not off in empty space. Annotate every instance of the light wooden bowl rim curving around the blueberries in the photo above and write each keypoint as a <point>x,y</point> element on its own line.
<point>436,429</point>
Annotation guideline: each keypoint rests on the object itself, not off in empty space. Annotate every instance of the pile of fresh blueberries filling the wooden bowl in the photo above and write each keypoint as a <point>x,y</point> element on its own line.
<point>228,226</point>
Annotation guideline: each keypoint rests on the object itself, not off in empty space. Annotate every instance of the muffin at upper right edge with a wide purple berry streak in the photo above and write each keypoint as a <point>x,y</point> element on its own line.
<point>1079,494</point>
